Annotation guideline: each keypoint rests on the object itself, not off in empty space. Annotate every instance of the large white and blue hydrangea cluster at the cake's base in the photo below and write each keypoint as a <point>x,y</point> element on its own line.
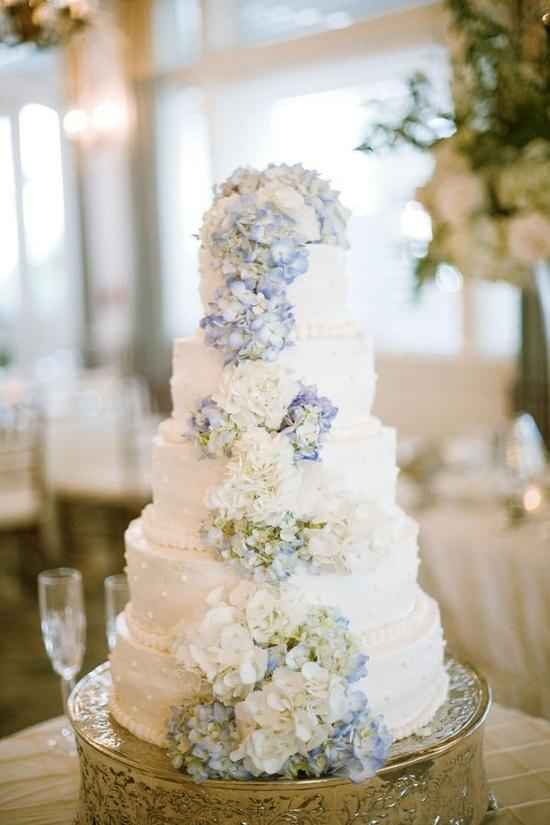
<point>278,695</point>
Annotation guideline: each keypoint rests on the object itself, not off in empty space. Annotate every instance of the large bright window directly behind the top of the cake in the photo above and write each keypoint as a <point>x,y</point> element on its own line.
<point>295,106</point>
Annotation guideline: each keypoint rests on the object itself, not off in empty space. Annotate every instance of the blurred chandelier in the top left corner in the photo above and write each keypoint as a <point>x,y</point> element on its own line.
<point>44,23</point>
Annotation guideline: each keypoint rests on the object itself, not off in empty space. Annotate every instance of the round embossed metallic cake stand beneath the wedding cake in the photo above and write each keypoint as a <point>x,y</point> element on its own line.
<point>435,779</point>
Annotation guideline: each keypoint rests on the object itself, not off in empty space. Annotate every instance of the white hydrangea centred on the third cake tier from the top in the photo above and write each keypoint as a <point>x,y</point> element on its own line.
<point>262,480</point>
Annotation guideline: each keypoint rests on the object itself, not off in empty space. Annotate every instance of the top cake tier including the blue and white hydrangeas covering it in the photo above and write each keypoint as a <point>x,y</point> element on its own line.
<point>273,259</point>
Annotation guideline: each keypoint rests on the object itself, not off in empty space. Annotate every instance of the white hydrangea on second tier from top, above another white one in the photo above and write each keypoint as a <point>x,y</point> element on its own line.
<point>256,393</point>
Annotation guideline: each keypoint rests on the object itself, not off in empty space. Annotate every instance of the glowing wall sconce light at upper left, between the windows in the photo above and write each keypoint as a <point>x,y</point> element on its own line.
<point>105,121</point>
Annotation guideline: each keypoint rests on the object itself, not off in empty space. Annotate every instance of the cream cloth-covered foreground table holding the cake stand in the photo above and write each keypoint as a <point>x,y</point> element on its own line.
<point>40,787</point>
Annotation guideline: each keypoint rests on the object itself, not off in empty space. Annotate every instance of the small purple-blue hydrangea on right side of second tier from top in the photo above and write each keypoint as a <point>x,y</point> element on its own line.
<point>308,420</point>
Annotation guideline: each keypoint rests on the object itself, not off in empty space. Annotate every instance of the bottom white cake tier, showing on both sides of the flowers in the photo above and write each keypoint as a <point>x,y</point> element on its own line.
<point>406,683</point>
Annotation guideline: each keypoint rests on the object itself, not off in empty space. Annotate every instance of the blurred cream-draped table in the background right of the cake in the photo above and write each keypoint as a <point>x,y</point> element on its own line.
<point>492,582</point>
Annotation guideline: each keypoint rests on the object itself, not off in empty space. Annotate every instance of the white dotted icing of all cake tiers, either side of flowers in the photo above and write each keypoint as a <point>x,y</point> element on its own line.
<point>171,573</point>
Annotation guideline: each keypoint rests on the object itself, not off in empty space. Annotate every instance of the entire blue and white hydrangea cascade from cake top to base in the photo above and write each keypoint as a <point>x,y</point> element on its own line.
<point>277,676</point>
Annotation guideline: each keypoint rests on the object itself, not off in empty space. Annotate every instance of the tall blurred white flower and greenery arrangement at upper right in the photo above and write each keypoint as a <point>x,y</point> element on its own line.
<point>489,195</point>
